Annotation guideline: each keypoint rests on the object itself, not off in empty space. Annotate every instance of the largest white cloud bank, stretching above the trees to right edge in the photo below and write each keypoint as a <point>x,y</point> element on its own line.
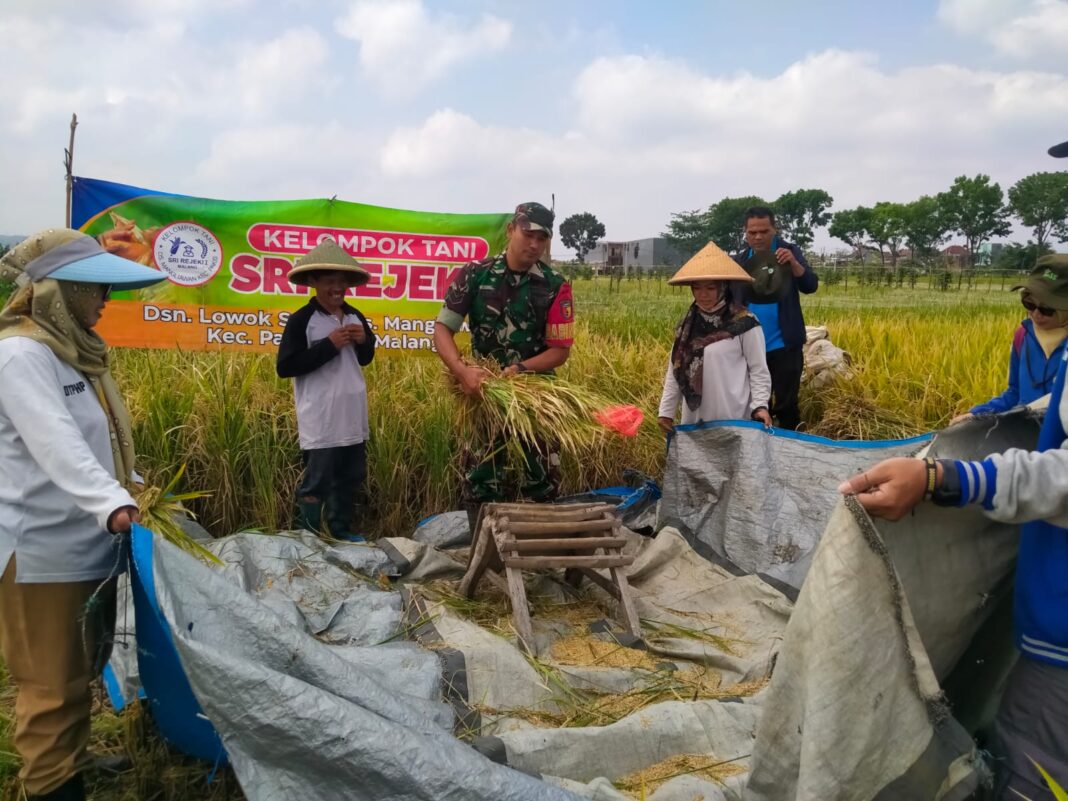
<point>655,136</point>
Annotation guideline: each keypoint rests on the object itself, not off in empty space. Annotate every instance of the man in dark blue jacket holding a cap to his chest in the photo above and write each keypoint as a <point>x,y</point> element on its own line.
<point>780,274</point>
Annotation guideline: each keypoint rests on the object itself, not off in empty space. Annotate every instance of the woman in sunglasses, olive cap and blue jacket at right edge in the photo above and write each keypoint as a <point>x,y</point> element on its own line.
<point>1039,344</point>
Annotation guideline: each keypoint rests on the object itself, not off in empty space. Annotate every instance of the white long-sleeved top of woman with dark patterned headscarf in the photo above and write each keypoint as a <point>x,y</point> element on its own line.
<point>736,382</point>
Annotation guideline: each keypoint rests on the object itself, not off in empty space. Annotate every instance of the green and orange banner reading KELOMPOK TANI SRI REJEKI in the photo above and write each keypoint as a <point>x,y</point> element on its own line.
<point>228,263</point>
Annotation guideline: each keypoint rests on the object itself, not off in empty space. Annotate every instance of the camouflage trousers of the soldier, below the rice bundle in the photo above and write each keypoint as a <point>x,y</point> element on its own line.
<point>489,480</point>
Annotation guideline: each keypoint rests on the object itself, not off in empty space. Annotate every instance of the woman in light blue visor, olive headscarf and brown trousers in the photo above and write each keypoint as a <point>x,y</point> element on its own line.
<point>67,462</point>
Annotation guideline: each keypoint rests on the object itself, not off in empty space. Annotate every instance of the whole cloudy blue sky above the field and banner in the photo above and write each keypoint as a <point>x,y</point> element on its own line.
<point>630,111</point>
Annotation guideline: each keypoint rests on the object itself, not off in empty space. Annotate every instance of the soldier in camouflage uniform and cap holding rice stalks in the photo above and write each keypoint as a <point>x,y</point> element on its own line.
<point>521,313</point>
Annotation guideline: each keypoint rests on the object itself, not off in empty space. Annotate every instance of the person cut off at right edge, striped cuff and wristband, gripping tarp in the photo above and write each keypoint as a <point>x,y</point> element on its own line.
<point>1030,488</point>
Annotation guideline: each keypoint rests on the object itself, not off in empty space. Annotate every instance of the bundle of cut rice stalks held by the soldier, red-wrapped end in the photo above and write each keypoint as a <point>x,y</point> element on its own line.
<point>533,413</point>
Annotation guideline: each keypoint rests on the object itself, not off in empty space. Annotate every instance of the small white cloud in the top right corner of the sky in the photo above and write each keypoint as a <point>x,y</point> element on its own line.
<point>1031,32</point>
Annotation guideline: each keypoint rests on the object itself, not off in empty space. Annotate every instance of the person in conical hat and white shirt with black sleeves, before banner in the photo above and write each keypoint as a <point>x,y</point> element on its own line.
<point>324,349</point>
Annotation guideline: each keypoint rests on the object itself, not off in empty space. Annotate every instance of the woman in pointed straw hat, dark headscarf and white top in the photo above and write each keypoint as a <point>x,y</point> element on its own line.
<point>718,366</point>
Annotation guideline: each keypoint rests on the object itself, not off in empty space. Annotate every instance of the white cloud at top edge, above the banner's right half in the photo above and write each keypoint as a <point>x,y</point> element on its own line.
<point>403,48</point>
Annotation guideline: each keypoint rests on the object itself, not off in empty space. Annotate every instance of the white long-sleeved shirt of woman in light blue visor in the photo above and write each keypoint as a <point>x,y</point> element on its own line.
<point>57,473</point>
